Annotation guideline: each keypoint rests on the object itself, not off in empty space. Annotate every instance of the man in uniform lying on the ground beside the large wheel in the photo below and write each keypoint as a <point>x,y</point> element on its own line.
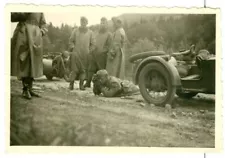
<point>110,86</point>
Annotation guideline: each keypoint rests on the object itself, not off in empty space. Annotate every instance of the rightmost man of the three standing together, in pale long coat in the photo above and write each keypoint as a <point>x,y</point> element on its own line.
<point>116,58</point>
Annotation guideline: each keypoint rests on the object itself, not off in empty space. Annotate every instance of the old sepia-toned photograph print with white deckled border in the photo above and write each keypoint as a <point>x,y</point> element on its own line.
<point>113,76</point>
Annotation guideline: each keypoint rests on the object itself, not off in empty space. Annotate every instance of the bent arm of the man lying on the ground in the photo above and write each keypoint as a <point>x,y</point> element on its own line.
<point>111,92</point>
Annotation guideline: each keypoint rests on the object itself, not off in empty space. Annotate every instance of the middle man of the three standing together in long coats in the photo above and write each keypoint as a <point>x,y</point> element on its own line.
<point>97,59</point>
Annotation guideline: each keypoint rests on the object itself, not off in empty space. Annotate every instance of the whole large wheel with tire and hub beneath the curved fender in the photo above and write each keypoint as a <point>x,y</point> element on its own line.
<point>156,74</point>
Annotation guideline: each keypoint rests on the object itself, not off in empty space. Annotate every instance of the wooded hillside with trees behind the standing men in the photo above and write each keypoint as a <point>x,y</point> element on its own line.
<point>149,32</point>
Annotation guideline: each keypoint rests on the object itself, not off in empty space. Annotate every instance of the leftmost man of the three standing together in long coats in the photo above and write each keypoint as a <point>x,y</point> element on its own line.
<point>81,42</point>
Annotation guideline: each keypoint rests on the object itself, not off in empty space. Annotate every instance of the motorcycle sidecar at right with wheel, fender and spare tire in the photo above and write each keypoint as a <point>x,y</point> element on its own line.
<point>159,80</point>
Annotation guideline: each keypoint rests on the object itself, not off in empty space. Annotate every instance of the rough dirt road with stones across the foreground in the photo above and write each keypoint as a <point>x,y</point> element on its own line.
<point>63,117</point>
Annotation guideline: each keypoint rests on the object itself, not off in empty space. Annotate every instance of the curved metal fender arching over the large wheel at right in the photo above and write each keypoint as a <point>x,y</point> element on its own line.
<point>170,67</point>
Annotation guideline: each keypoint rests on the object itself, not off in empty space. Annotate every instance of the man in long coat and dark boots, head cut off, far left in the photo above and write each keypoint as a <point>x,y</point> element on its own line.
<point>26,49</point>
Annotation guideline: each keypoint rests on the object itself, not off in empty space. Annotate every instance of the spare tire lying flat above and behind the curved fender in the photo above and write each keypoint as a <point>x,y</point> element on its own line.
<point>135,57</point>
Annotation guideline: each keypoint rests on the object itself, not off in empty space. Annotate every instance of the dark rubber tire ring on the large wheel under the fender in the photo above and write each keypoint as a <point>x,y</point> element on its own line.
<point>171,89</point>
